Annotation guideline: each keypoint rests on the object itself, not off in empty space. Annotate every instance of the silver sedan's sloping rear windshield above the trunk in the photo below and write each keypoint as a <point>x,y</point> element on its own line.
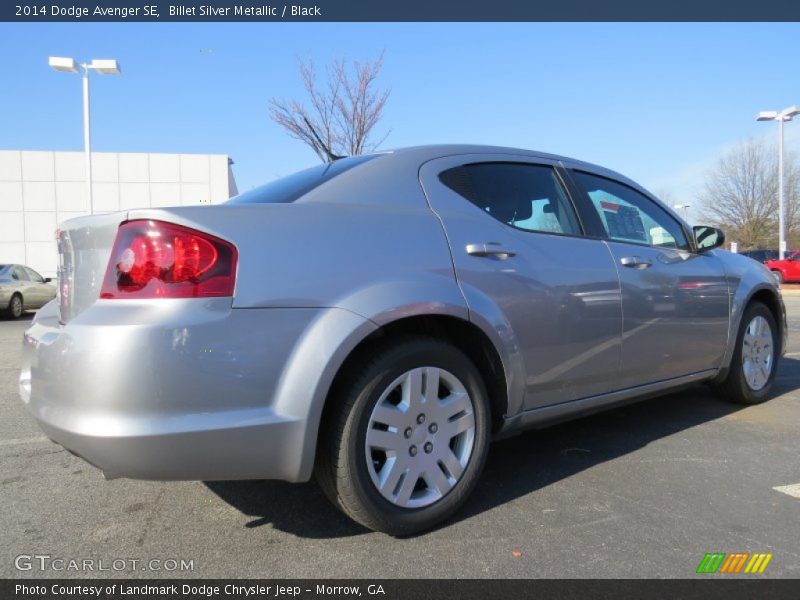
<point>293,187</point>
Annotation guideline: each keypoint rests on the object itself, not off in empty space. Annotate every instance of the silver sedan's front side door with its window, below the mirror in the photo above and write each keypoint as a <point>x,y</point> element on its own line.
<point>674,301</point>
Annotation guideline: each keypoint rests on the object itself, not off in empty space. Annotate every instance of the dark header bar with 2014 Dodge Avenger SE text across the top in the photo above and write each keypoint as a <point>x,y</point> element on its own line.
<point>396,10</point>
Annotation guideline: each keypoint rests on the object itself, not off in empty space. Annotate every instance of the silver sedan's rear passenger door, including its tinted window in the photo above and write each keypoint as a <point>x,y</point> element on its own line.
<point>526,267</point>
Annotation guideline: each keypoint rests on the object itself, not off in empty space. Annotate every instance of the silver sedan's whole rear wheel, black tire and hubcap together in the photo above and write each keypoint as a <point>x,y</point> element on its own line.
<point>406,486</point>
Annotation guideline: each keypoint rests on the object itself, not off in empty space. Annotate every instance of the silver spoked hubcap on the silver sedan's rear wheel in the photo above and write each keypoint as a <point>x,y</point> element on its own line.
<point>425,409</point>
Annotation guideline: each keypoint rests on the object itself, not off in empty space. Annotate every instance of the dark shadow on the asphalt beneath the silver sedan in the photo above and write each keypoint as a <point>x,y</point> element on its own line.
<point>515,467</point>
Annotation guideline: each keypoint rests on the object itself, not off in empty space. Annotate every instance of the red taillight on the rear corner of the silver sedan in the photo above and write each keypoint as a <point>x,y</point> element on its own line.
<point>153,259</point>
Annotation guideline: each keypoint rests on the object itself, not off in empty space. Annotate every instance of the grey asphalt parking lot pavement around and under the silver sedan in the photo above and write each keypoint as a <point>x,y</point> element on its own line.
<point>641,491</point>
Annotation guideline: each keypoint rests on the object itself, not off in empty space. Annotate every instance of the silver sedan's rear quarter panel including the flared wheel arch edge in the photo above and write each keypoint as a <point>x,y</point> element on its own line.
<point>370,265</point>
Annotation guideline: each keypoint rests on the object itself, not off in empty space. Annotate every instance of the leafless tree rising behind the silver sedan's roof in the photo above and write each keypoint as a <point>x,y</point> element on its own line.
<point>339,114</point>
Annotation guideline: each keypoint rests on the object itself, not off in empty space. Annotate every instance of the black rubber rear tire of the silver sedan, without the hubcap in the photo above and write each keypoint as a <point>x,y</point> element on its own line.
<point>342,467</point>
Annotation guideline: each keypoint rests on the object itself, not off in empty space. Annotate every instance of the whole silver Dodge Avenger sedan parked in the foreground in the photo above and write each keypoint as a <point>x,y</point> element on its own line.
<point>376,321</point>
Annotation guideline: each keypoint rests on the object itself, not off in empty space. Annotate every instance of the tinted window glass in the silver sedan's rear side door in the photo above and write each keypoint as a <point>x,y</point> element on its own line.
<point>527,197</point>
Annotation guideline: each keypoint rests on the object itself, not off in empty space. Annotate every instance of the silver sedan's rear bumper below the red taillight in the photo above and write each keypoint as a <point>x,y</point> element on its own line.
<point>171,389</point>
